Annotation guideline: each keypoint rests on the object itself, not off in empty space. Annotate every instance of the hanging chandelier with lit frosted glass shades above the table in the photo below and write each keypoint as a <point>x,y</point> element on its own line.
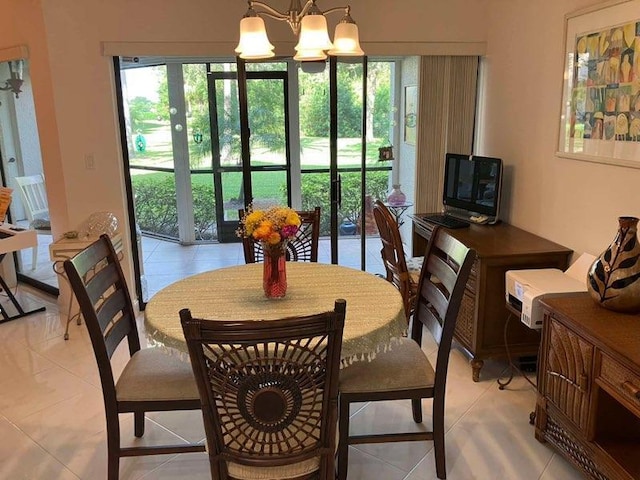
<point>308,23</point>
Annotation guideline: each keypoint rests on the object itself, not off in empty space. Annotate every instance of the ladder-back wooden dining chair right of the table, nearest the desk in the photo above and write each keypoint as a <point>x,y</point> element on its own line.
<point>404,372</point>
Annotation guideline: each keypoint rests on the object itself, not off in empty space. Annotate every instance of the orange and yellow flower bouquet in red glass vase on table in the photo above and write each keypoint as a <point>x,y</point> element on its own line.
<point>272,228</point>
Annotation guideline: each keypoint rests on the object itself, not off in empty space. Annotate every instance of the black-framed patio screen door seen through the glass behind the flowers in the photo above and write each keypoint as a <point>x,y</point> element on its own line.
<point>263,173</point>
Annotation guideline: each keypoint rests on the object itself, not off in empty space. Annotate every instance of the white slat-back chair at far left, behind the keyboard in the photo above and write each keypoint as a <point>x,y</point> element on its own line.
<point>34,198</point>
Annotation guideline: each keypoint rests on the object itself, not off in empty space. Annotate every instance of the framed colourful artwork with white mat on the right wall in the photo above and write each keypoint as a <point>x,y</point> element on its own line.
<point>600,108</point>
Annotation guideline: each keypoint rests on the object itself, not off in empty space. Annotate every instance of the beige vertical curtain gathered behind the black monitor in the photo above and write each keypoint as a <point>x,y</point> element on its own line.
<point>446,116</point>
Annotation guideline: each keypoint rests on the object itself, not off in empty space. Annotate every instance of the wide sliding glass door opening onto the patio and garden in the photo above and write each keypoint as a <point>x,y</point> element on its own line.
<point>202,143</point>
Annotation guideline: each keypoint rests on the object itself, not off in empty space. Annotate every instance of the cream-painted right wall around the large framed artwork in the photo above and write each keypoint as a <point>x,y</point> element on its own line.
<point>570,202</point>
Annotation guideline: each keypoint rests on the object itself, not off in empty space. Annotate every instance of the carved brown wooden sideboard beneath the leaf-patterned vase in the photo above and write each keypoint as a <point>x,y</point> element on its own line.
<point>589,387</point>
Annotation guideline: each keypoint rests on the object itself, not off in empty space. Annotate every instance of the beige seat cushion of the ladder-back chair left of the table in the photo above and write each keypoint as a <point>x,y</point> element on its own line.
<point>152,374</point>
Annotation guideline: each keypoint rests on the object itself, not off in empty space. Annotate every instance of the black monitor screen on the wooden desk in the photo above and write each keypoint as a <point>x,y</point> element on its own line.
<point>472,183</point>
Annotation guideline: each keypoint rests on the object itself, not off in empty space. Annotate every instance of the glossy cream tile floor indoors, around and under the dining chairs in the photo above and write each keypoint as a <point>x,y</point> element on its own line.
<point>52,425</point>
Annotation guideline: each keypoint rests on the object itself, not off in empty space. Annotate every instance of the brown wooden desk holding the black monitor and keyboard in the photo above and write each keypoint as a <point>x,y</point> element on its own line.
<point>481,321</point>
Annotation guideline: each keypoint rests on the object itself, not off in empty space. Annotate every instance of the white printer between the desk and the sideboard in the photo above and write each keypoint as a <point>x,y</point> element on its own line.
<point>525,288</point>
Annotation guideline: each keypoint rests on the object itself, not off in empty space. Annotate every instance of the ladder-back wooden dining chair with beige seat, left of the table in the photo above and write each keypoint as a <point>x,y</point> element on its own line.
<point>152,380</point>
